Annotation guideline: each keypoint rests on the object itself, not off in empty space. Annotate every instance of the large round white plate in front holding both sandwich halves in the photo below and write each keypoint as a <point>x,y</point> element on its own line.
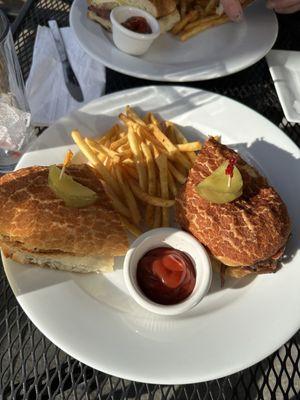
<point>93,318</point>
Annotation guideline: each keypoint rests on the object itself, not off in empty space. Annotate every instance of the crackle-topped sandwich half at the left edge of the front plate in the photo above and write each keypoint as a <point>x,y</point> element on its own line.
<point>36,227</point>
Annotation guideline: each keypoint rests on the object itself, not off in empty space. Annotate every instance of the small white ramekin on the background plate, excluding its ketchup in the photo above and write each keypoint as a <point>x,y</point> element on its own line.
<point>128,41</point>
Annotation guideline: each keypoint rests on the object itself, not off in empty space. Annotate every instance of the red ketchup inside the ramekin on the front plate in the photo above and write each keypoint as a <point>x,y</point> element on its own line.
<point>166,275</point>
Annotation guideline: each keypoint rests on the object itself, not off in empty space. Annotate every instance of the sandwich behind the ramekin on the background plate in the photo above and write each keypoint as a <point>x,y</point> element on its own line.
<point>164,11</point>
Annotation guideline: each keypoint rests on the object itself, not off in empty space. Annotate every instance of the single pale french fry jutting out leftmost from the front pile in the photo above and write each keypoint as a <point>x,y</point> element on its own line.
<point>95,161</point>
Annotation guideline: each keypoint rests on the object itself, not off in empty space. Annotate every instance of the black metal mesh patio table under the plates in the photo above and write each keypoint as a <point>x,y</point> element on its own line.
<point>31,367</point>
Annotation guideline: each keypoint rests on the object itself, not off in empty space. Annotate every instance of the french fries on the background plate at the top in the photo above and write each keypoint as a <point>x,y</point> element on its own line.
<point>198,16</point>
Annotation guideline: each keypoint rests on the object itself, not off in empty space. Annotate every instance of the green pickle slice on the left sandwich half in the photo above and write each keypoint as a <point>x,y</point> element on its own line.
<point>71,192</point>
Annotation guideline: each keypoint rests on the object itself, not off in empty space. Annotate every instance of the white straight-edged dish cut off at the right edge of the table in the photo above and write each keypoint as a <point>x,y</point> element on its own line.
<point>284,67</point>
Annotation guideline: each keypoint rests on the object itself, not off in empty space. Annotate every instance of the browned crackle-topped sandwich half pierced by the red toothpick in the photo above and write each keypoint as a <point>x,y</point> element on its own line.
<point>247,235</point>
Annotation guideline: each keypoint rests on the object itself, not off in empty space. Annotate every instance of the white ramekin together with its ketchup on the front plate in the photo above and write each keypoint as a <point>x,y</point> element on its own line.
<point>167,271</point>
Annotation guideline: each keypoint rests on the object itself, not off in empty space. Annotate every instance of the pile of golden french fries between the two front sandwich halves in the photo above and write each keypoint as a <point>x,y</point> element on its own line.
<point>142,162</point>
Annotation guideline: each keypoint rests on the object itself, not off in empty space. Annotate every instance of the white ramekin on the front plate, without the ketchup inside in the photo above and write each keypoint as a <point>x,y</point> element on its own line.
<point>180,240</point>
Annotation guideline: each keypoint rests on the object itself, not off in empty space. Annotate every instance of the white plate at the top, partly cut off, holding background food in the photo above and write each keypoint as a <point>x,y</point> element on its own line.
<point>217,52</point>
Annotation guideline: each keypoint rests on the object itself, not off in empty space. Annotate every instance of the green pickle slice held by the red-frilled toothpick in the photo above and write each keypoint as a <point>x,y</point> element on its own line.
<point>215,187</point>
